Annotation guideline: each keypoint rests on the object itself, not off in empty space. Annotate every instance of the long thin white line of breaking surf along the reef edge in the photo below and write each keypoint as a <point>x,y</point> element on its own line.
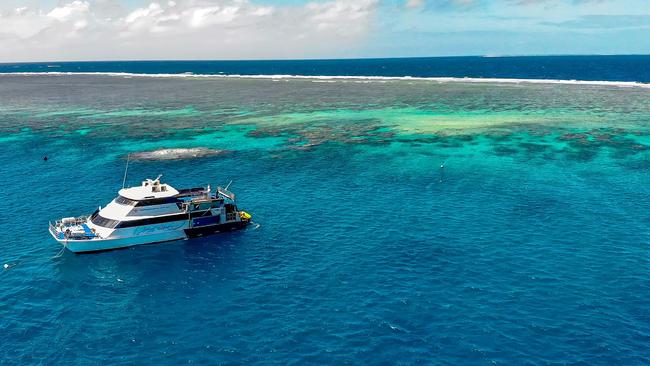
<point>629,84</point>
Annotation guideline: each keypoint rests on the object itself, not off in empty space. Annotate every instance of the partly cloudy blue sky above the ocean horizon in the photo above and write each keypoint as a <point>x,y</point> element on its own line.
<point>40,30</point>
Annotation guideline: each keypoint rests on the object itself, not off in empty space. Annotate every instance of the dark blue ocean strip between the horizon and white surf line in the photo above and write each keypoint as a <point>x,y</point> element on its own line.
<point>606,68</point>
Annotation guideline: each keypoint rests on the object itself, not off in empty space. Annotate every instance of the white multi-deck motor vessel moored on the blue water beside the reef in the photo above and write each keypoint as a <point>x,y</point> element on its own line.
<point>151,213</point>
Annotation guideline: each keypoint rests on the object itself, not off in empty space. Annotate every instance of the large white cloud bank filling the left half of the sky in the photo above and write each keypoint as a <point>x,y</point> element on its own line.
<point>184,29</point>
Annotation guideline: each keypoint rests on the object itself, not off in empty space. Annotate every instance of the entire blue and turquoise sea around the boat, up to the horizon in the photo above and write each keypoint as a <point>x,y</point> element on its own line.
<point>400,222</point>
